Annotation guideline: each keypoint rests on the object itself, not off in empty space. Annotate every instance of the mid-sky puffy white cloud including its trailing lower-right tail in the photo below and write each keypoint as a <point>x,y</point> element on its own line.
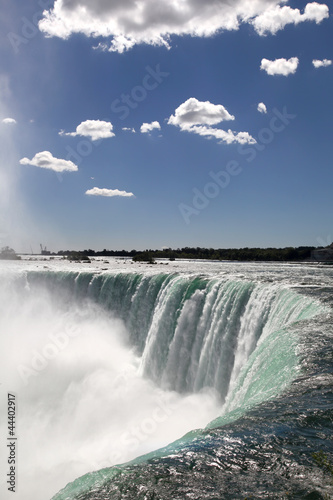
<point>197,117</point>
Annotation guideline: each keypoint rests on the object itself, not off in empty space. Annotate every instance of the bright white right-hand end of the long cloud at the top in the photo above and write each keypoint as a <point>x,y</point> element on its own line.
<point>276,18</point>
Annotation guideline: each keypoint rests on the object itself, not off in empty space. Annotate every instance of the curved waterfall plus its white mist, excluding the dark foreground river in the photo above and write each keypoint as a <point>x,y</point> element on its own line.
<point>123,363</point>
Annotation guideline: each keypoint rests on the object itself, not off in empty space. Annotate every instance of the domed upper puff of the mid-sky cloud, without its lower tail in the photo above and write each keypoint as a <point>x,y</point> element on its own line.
<point>194,112</point>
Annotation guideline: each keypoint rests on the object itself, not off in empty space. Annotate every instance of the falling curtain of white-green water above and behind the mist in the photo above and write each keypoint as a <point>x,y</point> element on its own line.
<point>191,332</point>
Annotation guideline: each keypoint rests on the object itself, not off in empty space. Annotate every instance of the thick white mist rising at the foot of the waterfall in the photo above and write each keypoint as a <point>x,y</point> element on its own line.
<point>82,406</point>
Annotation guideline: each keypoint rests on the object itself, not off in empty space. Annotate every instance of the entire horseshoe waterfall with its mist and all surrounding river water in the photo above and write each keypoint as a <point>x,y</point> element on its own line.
<point>183,380</point>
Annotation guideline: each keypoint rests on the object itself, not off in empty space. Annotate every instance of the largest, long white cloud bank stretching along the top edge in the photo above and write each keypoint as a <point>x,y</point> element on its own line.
<point>131,22</point>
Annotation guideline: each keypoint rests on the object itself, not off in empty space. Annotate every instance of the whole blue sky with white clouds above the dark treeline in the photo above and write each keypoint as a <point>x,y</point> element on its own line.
<point>205,166</point>
